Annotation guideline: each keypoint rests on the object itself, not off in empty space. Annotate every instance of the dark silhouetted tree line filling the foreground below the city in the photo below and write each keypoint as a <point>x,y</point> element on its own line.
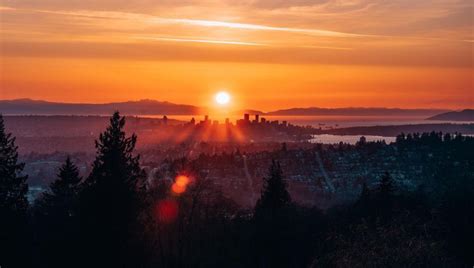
<point>116,217</point>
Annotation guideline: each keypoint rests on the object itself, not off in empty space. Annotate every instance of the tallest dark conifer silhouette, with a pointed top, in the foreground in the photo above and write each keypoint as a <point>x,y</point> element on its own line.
<point>110,201</point>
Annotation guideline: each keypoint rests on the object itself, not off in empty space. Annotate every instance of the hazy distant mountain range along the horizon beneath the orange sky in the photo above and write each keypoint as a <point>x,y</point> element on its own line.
<point>153,107</point>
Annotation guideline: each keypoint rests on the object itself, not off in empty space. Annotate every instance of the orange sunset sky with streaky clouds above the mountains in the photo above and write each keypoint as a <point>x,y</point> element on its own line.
<point>268,54</point>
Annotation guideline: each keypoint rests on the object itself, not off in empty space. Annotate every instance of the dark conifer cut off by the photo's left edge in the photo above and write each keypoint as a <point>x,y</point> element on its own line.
<point>13,201</point>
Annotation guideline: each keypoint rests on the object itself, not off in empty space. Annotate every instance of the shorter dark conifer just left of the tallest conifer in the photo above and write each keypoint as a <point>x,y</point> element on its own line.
<point>57,219</point>
